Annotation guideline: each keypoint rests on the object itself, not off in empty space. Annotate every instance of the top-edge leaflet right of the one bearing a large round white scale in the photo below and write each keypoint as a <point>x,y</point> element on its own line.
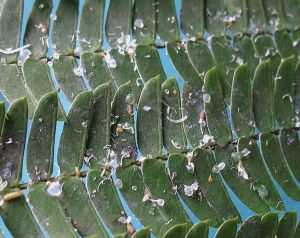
<point>166,21</point>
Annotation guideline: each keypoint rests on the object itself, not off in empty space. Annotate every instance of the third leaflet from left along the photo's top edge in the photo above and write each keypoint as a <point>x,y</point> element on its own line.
<point>64,27</point>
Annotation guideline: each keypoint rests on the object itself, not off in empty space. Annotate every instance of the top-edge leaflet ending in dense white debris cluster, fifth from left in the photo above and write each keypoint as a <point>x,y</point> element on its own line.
<point>118,21</point>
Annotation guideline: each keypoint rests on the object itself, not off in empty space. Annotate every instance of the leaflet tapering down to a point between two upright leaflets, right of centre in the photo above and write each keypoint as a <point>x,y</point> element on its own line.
<point>226,62</point>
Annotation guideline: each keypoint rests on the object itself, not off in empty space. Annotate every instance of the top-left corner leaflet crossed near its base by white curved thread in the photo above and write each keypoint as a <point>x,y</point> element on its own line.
<point>10,23</point>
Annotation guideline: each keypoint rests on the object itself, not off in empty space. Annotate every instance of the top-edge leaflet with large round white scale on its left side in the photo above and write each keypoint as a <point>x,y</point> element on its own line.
<point>144,16</point>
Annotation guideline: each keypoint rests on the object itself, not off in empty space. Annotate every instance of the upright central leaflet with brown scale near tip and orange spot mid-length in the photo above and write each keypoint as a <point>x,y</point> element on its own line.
<point>122,130</point>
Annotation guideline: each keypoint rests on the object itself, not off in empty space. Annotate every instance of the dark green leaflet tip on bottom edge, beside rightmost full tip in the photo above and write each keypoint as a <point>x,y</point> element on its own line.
<point>269,224</point>
